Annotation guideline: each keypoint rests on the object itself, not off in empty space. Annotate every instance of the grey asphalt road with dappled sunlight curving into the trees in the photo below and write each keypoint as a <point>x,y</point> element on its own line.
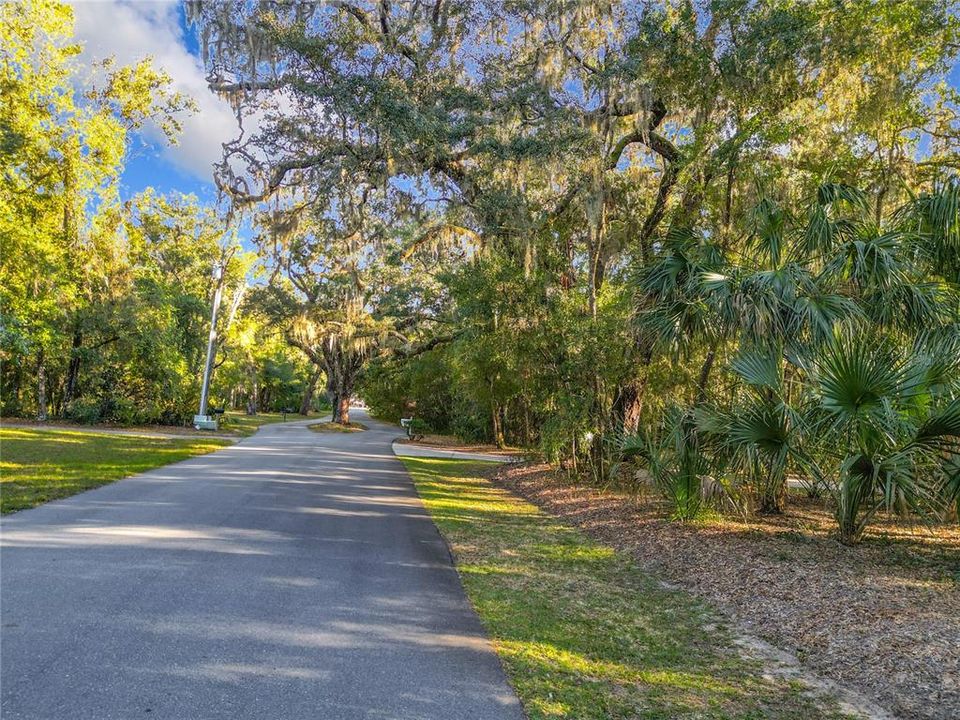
<point>293,575</point>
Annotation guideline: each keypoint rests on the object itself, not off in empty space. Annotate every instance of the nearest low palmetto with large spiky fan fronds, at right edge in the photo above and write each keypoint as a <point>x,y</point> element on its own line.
<point>887,423</point>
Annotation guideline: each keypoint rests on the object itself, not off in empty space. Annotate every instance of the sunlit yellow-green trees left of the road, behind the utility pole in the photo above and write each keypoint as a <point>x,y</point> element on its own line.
<point>106,304</point>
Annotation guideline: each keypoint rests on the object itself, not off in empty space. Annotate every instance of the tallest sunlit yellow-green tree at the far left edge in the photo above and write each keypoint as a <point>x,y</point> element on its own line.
<point>61,151</point>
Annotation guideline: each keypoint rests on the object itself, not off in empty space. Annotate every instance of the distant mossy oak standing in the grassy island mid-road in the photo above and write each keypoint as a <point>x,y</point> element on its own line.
<point>343,291</point>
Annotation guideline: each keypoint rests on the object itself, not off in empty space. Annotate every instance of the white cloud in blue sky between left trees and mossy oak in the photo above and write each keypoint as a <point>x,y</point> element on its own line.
<point>130,31</point>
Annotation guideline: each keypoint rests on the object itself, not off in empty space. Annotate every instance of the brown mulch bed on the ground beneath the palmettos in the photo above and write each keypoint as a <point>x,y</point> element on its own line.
<point>881,618</point>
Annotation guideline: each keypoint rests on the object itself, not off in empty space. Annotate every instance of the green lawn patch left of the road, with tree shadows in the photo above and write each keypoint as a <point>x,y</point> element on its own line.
<point>38,465</point>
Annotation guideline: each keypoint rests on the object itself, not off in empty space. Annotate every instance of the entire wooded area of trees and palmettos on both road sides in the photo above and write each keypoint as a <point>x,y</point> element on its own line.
<point>713,248</point>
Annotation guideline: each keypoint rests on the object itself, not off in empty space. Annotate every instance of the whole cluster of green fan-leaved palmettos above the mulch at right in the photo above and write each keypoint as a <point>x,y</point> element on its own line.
<point>848,368</point>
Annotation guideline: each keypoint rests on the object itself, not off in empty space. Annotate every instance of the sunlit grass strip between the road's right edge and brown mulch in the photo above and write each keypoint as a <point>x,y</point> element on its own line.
<point>584,633</point>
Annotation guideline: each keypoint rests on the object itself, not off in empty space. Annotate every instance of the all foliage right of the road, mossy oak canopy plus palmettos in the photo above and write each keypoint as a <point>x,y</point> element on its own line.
<point>710,246</point>
